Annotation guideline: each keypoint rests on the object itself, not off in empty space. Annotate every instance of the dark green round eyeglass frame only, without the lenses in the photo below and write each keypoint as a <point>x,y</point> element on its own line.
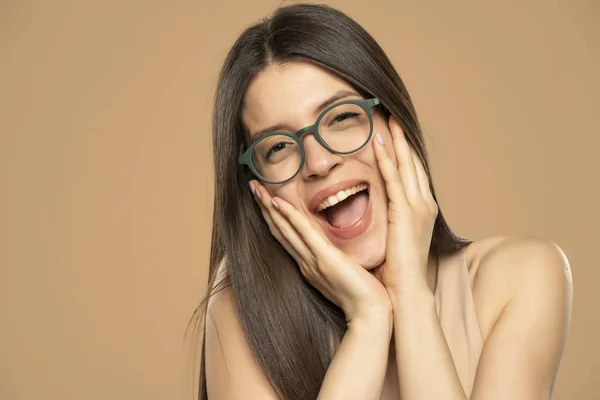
<point>365,104</point>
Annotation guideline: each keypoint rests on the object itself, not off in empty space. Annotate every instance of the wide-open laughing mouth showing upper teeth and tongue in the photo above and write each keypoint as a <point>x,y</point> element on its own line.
<point>346,208</point>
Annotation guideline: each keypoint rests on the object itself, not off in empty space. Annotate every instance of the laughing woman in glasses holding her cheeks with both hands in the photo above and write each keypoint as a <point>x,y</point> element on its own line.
<point>334,273</point>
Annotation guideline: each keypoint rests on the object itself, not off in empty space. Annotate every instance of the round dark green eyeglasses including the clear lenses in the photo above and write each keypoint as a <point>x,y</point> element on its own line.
<point>342,128</point>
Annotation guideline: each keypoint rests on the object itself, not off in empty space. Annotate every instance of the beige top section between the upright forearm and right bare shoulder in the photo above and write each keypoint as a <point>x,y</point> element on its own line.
<point>456,311</point>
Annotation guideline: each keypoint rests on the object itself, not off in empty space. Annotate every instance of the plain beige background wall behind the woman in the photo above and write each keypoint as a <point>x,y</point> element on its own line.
<point>105,168</point>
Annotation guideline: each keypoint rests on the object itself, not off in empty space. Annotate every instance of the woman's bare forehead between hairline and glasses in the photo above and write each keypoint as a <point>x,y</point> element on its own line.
<point>288,93</point>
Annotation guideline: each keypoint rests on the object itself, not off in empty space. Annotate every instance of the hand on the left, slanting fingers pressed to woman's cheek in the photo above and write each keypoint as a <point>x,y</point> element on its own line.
<point>356,291</point>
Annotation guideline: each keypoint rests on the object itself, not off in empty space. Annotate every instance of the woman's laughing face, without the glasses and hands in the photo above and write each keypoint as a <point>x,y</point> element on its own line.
<point>289,95</point>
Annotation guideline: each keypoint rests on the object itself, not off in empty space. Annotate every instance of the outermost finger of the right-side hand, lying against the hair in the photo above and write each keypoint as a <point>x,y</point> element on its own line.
<point>405,162</point>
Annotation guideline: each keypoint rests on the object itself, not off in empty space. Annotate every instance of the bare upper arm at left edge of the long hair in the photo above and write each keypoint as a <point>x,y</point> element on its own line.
<point>231,369</point>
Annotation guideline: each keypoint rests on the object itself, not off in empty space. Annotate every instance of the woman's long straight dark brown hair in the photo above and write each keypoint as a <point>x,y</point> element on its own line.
<point>288,324</point>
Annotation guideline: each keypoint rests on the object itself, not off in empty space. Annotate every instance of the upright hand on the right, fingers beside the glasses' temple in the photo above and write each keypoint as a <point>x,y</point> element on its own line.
<point>412,211</point>
